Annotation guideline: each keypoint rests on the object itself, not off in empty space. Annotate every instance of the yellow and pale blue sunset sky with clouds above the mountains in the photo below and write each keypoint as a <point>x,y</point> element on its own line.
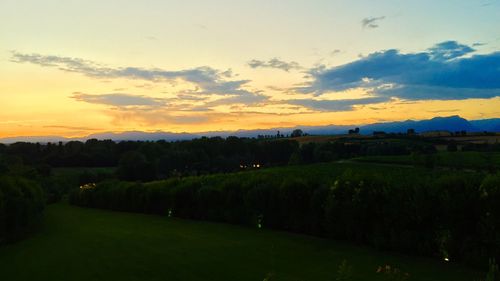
<point>73,68</point>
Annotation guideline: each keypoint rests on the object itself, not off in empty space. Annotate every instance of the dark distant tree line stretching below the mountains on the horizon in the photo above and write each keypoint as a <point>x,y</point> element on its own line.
<point>148,161</point>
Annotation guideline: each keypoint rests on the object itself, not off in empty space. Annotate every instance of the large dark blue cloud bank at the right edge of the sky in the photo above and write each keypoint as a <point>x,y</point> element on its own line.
<point>446,71</point>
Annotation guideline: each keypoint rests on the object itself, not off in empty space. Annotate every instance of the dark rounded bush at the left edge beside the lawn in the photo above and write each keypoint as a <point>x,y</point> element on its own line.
<point>21,206</point>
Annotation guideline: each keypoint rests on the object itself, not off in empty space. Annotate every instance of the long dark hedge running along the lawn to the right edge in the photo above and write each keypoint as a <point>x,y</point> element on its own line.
<point>415,211</point>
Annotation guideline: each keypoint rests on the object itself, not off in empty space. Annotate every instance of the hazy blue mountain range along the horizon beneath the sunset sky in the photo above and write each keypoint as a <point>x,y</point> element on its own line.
<point>451,123</point>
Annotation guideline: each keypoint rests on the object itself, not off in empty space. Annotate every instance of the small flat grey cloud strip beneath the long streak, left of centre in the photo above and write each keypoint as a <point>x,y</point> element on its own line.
<point>119,99</point>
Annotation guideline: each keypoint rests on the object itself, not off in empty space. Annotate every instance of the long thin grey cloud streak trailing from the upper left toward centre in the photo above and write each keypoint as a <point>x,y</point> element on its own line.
<point>207,80</point>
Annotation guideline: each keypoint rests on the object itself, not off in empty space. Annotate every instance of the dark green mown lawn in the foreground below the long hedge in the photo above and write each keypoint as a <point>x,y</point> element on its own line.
<point>89,244</point>
